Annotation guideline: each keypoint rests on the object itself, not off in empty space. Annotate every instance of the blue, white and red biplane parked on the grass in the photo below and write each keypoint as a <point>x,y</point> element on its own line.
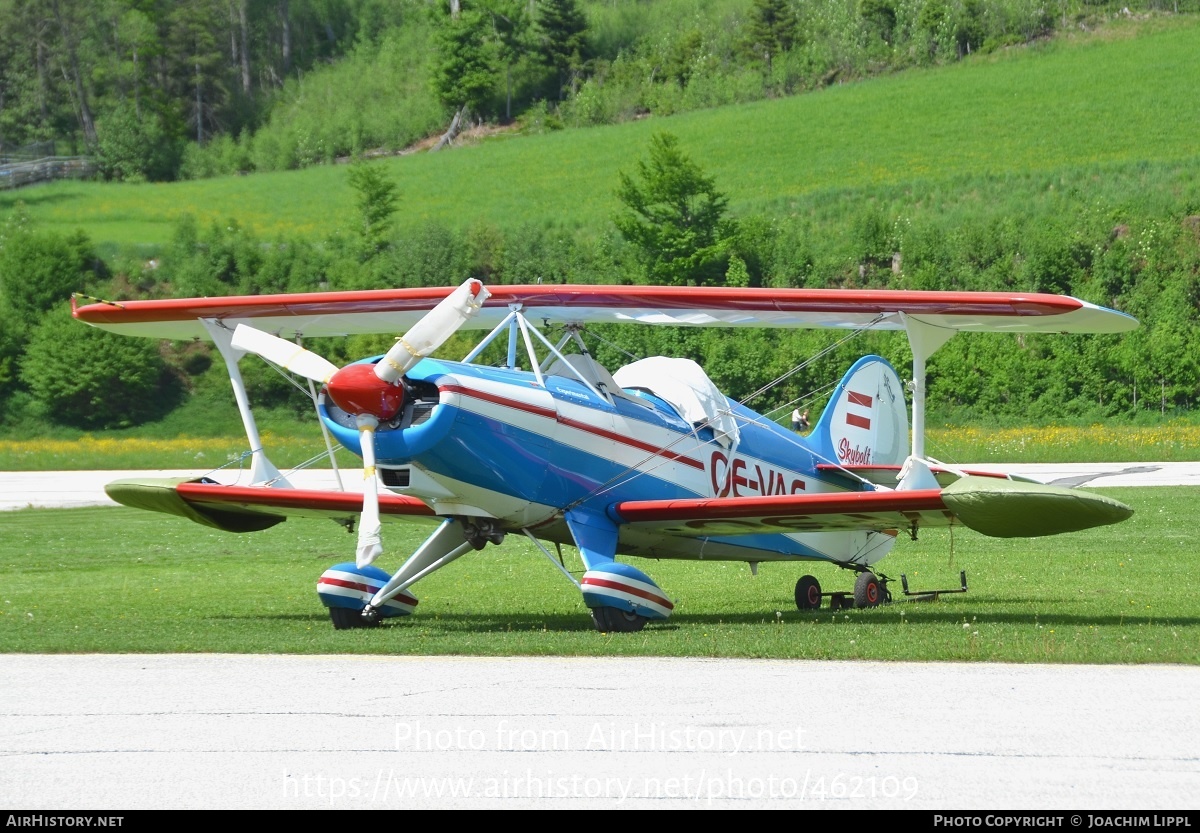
<point>649,460</point>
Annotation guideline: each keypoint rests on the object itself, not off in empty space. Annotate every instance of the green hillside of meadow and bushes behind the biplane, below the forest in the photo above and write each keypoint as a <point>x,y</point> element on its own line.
<point>1071,167</point>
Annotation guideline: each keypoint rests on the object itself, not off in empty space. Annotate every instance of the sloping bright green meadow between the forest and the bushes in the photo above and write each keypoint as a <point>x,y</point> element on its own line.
<point>1091,104</point>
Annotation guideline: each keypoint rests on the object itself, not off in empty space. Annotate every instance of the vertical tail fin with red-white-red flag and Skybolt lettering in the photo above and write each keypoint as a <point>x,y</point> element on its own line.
<point>867,421</point>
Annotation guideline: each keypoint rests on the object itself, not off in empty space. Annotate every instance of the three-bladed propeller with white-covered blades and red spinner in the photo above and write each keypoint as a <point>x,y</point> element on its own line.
<point>371,393</point>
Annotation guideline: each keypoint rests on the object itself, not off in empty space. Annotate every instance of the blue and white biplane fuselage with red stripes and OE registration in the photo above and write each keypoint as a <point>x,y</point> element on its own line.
<point>476,441</point>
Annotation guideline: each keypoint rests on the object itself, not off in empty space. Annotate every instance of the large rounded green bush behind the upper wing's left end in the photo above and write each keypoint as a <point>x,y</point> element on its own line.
<point>94,379</point>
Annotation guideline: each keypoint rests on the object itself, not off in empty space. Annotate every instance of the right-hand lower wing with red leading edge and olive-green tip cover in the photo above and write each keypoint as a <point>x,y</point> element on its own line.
<point>991,506</point>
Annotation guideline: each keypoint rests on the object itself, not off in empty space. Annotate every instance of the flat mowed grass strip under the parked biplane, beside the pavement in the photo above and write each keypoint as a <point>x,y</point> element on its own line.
<point>118,580</point>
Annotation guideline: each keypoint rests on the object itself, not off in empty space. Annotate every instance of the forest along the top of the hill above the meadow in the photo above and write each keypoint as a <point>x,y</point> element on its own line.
<point>167,89</point>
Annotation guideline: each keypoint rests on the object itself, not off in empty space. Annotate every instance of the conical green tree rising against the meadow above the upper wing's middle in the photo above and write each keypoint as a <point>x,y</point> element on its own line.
<point>675,215</point>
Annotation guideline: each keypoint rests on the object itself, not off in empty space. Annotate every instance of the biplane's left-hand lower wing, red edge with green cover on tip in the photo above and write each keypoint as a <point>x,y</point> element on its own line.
<point>253,508</point>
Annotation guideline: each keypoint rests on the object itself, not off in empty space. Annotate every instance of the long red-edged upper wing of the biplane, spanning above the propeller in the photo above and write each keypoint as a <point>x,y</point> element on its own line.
<point>332,314</point>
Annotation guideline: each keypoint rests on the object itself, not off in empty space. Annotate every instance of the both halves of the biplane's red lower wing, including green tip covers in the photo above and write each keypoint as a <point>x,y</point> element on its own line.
<point>991,506</point>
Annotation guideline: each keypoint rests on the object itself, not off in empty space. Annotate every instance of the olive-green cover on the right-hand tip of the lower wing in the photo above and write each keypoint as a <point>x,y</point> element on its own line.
<point>1010,510</point>
